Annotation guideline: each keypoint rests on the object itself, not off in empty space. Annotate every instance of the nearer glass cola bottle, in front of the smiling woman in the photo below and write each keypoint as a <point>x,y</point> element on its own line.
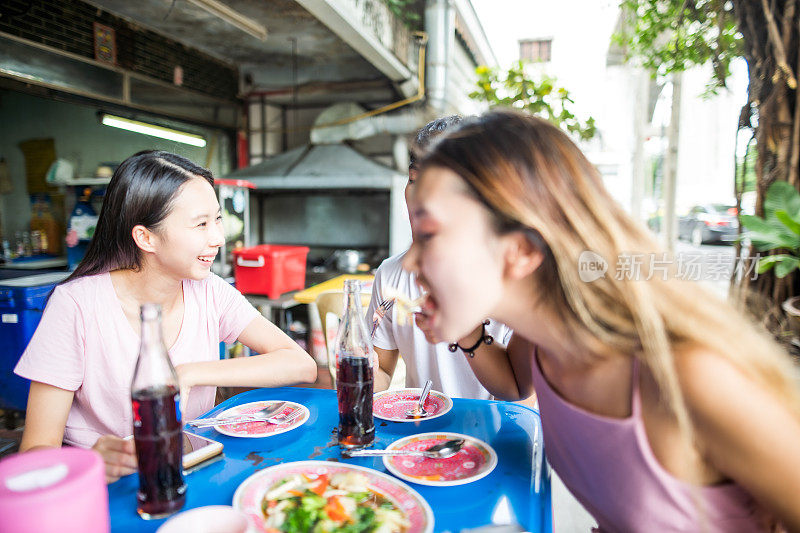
<point>157,423</point>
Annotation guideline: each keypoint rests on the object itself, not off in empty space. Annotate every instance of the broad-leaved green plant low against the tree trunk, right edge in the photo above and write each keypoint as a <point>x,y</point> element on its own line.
<point>778,230</point>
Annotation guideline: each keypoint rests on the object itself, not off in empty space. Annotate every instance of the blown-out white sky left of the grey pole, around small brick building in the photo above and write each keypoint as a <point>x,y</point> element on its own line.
<point>581,31</point>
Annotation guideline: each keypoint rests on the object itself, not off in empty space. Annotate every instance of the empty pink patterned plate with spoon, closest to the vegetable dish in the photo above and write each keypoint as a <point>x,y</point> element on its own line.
<point>474,461</point>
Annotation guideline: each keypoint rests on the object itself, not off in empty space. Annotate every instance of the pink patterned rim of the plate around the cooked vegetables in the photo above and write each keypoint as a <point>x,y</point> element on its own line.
<point>250,493</point>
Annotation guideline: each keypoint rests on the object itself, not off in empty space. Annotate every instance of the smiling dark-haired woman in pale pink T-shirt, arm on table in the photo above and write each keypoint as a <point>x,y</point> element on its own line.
<point>158,234</point>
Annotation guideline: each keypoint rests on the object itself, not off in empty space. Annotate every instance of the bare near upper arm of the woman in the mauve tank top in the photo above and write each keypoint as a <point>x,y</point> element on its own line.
<point>743,427</point>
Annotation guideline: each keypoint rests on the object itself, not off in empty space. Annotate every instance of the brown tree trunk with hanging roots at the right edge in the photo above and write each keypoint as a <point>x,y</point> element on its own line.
<point>771,30</point>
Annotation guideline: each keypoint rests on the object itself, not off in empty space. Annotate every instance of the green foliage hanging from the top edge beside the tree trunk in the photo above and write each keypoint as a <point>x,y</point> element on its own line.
<point>673,35</point>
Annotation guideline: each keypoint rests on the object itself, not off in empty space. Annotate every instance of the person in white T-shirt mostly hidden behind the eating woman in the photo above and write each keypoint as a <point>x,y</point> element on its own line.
<point>447,365</point>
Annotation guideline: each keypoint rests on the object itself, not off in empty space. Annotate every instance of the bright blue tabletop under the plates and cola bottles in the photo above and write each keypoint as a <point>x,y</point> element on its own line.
<point>507,495</point>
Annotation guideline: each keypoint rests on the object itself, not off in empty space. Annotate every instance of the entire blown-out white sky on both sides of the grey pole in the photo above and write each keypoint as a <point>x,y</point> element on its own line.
<point>581,31</point>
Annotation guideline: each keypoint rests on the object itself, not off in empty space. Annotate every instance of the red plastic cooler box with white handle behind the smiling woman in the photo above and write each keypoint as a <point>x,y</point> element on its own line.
<point>270,269</point>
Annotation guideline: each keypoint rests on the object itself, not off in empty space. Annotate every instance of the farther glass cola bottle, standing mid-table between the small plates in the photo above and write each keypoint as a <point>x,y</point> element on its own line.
<point>354,375</point>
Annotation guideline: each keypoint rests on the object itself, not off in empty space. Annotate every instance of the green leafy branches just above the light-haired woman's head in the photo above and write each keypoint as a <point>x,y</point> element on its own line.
<point>542,97</point>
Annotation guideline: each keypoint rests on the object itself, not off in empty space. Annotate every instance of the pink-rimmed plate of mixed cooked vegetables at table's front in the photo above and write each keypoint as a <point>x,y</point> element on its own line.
<point>320,496</point>
